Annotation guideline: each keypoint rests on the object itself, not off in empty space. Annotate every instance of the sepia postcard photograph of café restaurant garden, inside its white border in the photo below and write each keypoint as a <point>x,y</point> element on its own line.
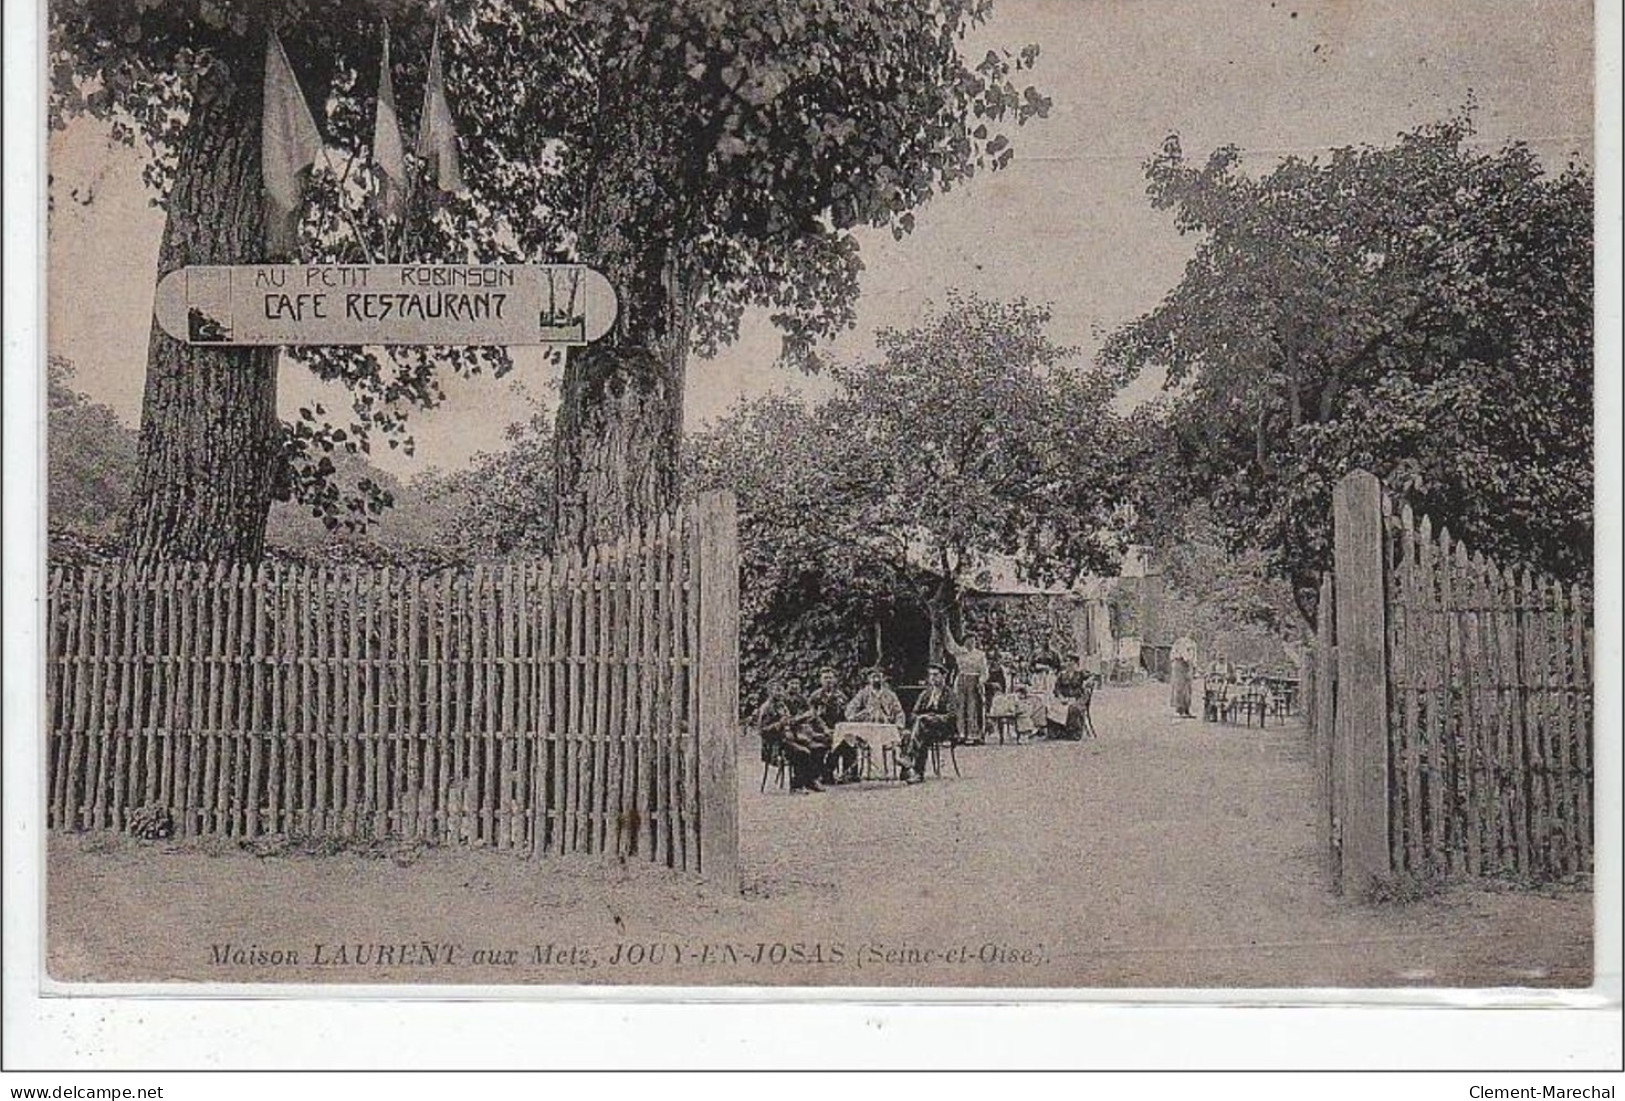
<point>1042,494</point>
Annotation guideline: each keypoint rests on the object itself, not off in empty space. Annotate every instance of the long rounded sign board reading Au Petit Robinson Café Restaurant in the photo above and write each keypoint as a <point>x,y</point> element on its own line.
<point>386,304</point>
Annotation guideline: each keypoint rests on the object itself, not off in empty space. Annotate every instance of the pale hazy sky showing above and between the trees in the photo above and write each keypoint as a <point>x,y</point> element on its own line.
<point>1068,223</point>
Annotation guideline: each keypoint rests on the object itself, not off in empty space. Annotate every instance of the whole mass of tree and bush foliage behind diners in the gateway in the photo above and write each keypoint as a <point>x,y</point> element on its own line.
<point>969,438</point>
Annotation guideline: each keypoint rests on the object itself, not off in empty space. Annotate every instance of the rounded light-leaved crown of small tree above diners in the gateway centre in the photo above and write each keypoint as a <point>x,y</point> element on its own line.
<point>981,438</point>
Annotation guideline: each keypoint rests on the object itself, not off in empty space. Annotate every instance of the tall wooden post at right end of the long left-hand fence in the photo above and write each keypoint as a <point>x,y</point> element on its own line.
<point>719,688</point>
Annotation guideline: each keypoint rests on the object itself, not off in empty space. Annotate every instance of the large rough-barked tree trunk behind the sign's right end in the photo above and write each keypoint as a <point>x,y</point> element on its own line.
<point>620,430</point>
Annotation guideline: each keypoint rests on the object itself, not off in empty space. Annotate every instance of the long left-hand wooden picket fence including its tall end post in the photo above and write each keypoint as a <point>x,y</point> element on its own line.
<point>579,704</point>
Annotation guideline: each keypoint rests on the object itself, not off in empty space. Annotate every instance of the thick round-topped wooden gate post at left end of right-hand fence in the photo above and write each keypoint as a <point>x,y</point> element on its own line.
<point>1361,736</point>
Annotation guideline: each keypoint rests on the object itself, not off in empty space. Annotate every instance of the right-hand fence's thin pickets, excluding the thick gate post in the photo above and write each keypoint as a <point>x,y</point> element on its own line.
<point>1489,712</point>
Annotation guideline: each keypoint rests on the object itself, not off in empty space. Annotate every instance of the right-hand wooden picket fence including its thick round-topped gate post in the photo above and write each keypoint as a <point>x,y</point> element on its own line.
<point>1454,706</point>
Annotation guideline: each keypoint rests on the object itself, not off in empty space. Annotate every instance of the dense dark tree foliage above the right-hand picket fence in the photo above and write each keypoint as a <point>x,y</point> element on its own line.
<point>1421,311</point>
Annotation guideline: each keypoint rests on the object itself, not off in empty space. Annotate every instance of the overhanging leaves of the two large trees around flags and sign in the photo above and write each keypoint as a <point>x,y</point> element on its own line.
<point>713,155</point>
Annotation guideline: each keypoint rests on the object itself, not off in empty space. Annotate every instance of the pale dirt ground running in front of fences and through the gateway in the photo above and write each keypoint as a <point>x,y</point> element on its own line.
<point>1168,853</point>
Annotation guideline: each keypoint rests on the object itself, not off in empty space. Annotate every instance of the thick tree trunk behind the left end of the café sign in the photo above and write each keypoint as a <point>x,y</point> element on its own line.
<point>210,439</point>
